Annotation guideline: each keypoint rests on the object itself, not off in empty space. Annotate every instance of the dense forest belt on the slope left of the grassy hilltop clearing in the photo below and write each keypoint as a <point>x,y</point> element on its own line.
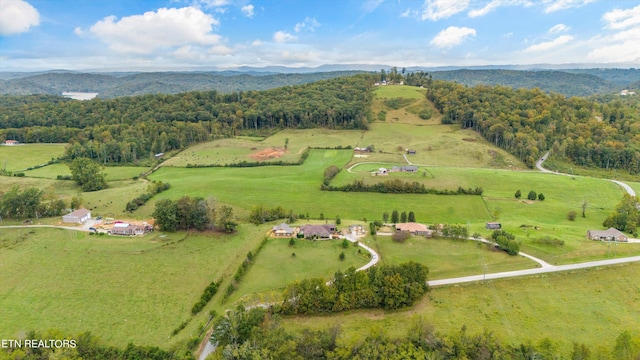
<point>127,129</point>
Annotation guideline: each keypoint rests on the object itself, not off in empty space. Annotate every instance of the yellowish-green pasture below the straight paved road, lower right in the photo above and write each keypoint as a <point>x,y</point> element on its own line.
<point>590,306</point>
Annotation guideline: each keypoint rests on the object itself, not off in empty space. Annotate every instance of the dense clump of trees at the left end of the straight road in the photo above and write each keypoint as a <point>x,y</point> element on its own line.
<point>386,286</point>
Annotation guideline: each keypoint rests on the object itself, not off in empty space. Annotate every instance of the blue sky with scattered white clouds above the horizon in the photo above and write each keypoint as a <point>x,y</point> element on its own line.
<point>181,34</point>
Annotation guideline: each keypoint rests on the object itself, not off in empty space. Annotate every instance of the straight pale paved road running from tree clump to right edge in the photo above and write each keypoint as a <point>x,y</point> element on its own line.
<point>535,271</point>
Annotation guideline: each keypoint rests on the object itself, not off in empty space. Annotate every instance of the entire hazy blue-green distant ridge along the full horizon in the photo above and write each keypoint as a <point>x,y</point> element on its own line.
<point>570,82</point>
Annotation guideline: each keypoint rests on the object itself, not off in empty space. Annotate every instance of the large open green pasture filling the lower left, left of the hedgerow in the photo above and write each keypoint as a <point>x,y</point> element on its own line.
<point>122,289</point>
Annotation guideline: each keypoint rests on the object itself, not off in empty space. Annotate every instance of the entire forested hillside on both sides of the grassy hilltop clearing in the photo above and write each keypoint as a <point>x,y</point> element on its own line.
<point>524,122</point>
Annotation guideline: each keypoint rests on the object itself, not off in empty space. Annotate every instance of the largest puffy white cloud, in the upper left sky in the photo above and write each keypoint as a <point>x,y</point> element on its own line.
<point>156,29</point>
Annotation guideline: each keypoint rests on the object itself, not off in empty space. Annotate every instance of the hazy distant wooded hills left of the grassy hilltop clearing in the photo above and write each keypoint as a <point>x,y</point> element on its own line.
<point>113,85</point>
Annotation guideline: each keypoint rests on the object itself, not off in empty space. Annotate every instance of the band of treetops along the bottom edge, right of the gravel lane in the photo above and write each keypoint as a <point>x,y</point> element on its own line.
<point>258,334</point>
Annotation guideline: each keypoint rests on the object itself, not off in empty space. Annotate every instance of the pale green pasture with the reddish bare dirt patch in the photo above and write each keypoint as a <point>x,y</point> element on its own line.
<point>239,149</point>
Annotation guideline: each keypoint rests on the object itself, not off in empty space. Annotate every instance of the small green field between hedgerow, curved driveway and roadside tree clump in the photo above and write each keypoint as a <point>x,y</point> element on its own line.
<point>276,267</point>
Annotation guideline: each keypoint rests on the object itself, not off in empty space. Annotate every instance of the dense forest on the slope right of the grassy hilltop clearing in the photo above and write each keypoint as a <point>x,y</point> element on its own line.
<point>528,122</point>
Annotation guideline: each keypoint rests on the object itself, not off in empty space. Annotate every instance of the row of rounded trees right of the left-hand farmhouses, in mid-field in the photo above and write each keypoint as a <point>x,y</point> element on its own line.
<point>189,213</point>
